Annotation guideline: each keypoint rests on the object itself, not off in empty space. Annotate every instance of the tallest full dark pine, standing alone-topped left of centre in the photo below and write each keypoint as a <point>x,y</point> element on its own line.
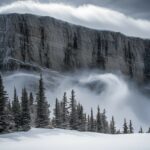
<point>42,118</point>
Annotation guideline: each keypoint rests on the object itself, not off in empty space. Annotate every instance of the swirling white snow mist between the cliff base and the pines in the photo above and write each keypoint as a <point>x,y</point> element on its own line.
<point>92,88</point>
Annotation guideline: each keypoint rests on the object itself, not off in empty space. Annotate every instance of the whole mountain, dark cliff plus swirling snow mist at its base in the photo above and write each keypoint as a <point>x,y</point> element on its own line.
<point>30,44</point>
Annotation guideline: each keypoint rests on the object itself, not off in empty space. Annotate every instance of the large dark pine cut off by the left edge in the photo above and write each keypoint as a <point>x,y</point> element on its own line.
<point>6,121</point>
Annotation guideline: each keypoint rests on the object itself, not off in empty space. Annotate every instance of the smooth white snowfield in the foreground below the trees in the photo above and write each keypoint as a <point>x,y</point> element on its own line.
<point>58,139</point>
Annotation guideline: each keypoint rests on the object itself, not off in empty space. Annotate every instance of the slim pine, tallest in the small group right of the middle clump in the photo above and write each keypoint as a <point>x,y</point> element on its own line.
<point>99,121</point>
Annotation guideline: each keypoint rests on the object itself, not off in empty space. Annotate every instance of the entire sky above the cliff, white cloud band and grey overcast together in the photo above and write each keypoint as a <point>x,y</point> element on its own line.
<point>131,17</point>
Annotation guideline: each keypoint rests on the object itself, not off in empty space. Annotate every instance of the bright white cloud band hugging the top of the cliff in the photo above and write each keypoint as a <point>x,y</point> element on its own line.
<point>86,15</point>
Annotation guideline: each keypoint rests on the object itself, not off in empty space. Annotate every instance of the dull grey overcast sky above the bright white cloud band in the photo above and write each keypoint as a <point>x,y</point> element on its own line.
<point>134,8</point>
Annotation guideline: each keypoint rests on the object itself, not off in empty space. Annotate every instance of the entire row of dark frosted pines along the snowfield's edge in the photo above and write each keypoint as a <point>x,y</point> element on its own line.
<point>20,114</point>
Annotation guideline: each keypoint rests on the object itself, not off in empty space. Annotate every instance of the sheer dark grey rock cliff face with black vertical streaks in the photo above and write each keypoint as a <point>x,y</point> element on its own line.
<point>28,41</point>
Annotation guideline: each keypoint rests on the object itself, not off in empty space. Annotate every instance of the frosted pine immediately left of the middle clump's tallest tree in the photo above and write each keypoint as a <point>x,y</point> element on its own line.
<point>65,113</point>
